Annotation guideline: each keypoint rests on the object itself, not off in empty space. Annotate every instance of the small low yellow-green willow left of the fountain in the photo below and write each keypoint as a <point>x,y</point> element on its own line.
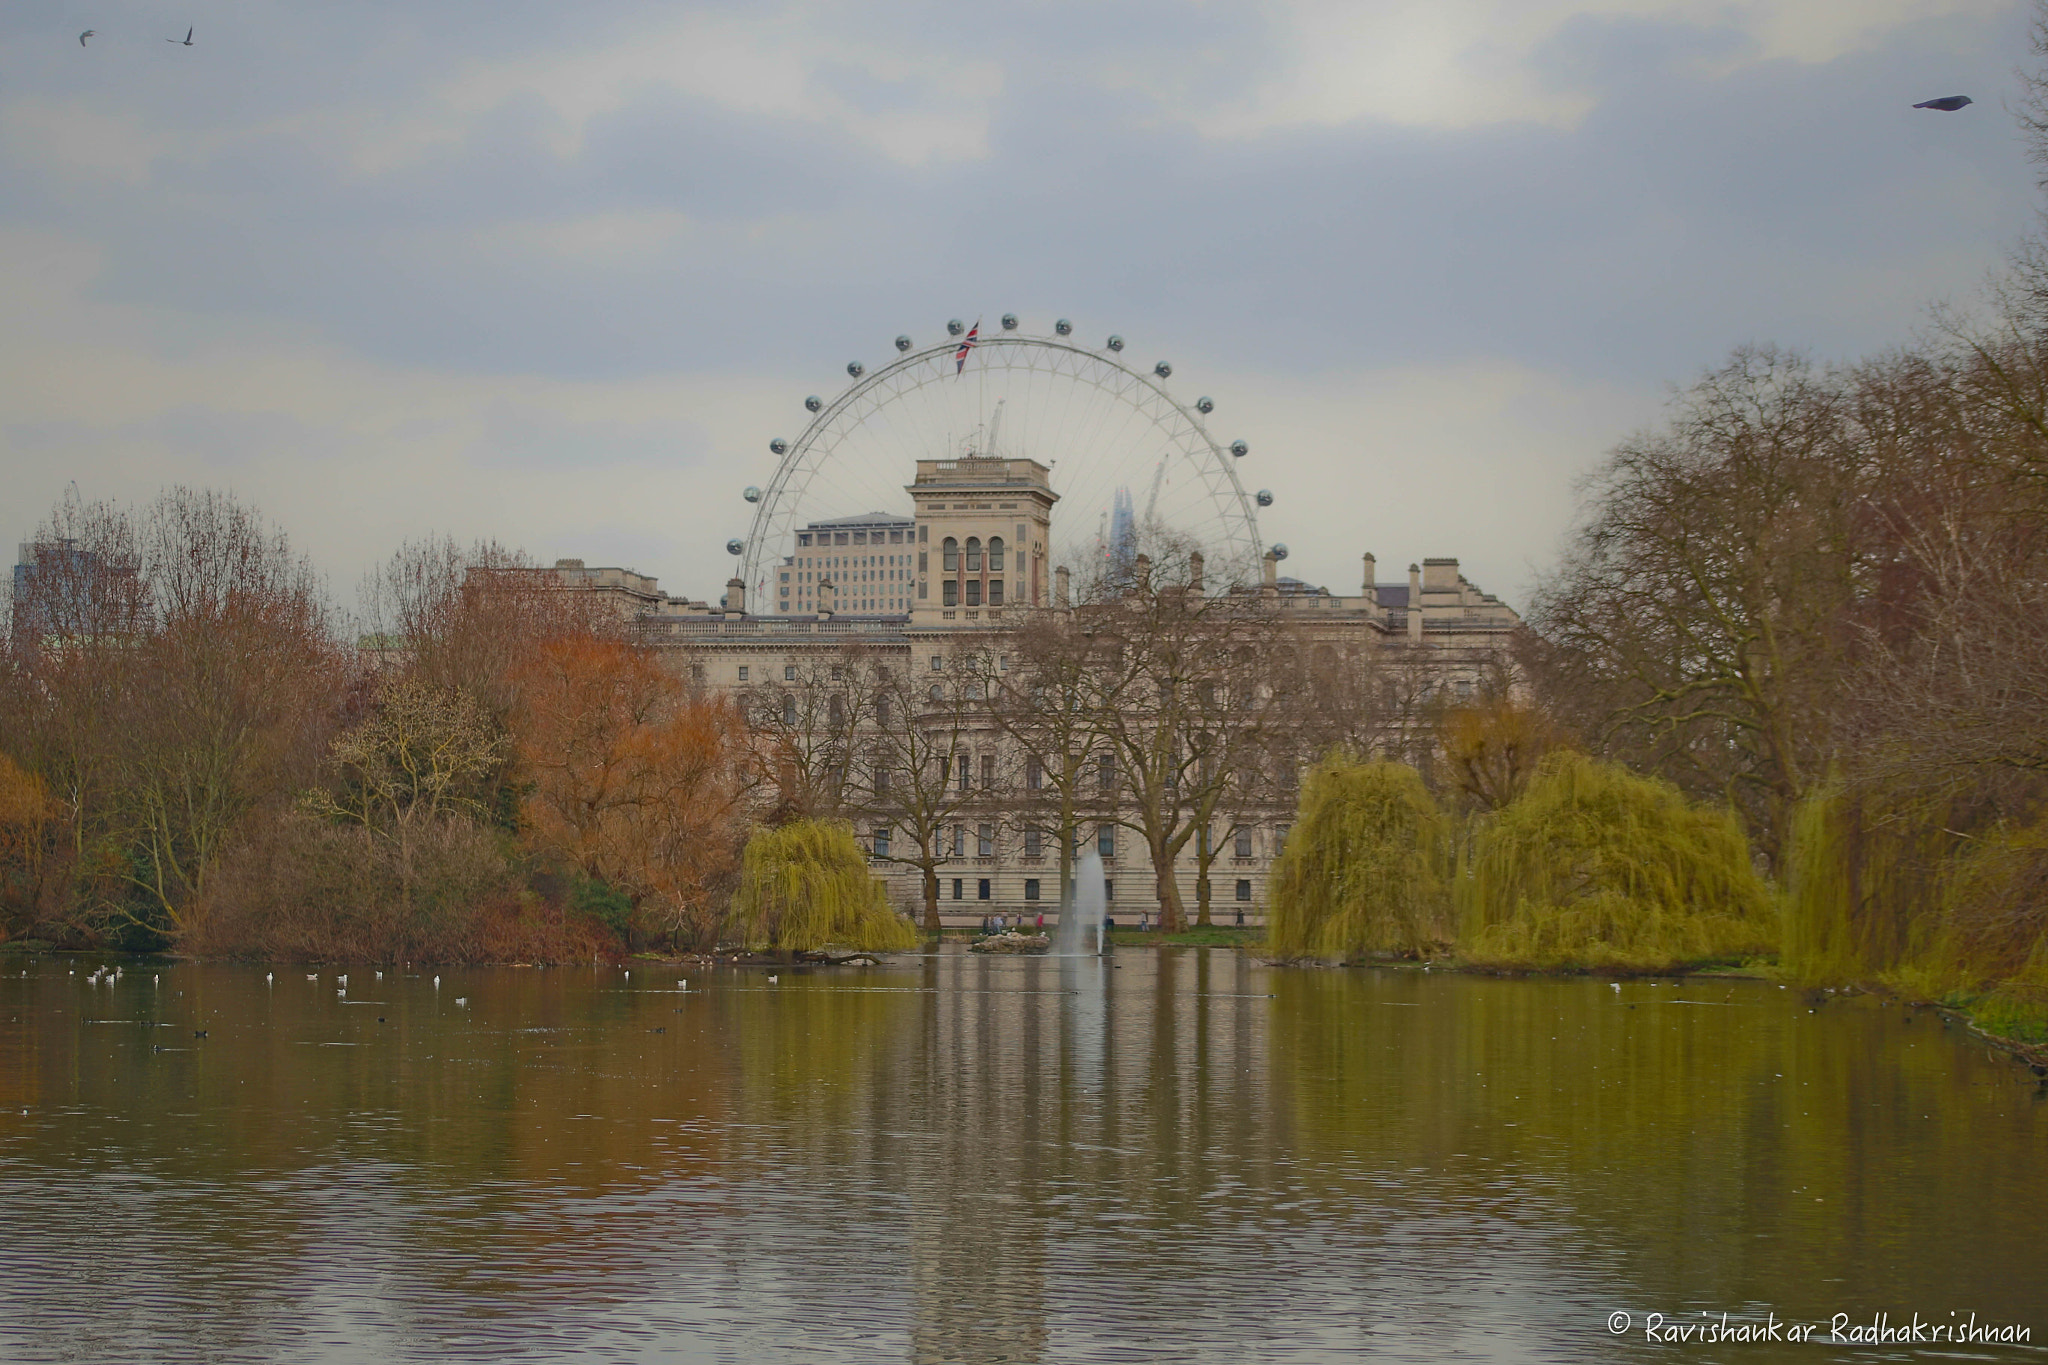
<point>806,887</point>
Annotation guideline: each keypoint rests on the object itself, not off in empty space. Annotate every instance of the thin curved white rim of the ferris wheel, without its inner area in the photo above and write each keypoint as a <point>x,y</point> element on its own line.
<point>757,556</point>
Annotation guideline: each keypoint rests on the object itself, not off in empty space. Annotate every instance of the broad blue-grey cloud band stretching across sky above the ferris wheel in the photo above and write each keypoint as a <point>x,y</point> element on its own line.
<point>1740,206</point>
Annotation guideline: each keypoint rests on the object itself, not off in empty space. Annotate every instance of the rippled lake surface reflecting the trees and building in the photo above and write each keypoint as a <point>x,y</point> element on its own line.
<point>1162,1157</point>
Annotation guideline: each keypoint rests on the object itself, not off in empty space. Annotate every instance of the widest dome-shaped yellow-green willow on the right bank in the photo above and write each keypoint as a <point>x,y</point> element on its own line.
<point>1605,871</point>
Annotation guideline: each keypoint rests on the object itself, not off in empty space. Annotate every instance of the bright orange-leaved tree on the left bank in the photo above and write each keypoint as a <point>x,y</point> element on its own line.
<point>634,781</point>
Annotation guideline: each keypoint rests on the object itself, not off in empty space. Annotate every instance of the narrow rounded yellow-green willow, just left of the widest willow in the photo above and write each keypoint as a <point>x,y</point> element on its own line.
<point>1363,871</point>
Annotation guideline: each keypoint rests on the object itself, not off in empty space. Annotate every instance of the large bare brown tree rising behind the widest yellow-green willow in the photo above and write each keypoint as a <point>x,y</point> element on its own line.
<point>1699,625</point>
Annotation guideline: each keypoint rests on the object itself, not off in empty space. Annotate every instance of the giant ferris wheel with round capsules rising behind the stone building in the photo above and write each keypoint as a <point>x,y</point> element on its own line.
<point>1123,451</point>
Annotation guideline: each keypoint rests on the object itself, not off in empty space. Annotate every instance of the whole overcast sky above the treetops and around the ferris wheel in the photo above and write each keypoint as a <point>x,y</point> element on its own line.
<point>556,273</point>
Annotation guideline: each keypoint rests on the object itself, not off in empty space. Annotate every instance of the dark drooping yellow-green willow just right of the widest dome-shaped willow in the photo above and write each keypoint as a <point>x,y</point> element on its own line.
<point>1861,869</point>
